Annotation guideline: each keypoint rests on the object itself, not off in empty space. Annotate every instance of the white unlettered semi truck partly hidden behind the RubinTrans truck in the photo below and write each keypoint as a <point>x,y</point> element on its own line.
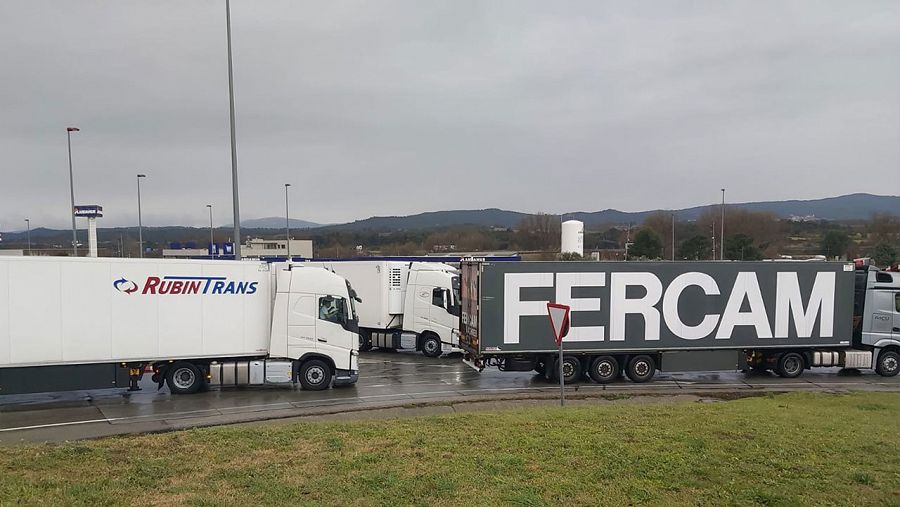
<point>404,305</point>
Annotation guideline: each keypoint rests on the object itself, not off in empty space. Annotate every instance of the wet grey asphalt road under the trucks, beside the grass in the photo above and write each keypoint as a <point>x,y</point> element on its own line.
<point>386,379</point>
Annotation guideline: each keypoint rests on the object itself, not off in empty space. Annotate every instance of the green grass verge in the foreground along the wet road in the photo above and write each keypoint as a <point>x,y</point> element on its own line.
<point>797,449</point>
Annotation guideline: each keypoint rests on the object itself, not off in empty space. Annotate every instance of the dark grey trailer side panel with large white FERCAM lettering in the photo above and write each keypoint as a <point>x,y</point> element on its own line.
<point>658,306</point>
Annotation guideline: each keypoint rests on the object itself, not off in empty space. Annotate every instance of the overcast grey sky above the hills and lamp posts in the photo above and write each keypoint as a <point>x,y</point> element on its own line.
<point>388,108</point>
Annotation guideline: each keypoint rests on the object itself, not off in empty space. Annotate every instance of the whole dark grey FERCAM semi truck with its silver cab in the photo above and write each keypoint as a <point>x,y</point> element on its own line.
<point>640,317</point>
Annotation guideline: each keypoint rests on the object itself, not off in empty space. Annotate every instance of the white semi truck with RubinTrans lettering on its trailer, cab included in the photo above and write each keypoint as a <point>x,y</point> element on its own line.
<point>80,323</point>
